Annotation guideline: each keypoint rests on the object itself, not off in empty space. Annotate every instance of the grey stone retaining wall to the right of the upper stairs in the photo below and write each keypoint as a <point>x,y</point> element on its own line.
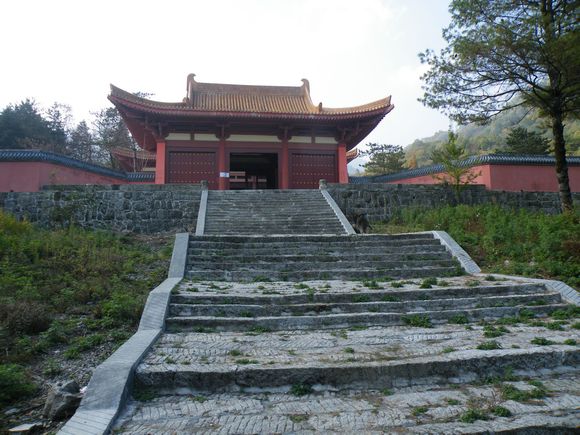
<point>379,200</point>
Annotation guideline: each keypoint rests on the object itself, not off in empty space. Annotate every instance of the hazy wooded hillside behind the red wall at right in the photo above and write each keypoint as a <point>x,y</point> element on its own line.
<point>489,138</point>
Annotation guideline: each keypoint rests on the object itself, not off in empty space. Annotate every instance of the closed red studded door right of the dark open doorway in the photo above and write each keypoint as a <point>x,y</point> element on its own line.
<point>306,169</point>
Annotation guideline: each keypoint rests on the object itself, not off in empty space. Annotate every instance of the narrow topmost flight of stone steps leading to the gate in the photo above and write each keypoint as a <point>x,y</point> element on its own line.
<point>270,212</point>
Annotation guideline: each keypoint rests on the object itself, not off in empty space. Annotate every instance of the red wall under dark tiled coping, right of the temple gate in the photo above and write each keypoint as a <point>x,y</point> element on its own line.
<point>514,178</point>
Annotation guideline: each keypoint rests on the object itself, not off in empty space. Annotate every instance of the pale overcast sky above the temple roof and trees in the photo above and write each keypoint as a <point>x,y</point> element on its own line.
<point>352,52</point>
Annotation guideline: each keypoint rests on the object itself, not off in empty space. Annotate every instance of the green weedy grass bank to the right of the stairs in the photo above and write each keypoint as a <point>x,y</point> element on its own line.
<point>504,241</point>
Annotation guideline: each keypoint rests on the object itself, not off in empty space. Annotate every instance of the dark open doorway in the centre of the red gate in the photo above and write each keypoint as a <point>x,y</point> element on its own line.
<point>253,171</point>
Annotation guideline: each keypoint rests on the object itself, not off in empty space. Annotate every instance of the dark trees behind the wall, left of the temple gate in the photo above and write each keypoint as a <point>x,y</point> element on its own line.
<point>25,125</point>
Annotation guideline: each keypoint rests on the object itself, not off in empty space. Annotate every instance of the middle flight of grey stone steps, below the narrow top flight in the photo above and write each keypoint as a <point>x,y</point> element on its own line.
<point>297,258</point>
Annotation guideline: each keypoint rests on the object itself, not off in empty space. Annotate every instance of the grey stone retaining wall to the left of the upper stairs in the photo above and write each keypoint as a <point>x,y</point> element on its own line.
<point>144,208</point>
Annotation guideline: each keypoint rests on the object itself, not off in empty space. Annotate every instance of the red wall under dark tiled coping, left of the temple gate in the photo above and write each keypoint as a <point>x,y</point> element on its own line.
<point>31,176</point>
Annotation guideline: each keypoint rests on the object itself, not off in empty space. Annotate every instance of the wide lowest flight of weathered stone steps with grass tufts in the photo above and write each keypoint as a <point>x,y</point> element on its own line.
<point>372,356</point>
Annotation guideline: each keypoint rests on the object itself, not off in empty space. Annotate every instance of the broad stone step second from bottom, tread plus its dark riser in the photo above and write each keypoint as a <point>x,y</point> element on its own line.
<point>380,357</point>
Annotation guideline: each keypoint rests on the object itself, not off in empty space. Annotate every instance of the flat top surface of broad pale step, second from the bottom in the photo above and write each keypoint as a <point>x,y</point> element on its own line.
<point>383,346</point>
